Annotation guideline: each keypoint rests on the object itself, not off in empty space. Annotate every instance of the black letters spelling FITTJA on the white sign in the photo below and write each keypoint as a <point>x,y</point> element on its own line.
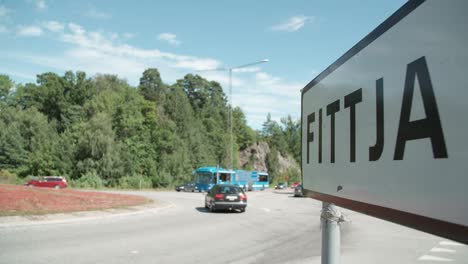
<point>428,127</point>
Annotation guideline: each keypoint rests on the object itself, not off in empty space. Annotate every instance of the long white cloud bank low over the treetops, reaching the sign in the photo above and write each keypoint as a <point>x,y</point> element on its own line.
<point>255,91</point>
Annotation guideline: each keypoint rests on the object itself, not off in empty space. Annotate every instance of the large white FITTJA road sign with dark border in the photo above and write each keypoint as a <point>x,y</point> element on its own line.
<point>385,127</point>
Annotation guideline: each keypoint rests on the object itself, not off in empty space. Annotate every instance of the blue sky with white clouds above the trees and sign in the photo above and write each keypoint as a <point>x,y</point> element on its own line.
<point>300,39</point>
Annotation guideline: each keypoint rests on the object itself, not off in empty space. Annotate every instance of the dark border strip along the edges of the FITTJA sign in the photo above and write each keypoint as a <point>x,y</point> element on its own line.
<point>430,225</point>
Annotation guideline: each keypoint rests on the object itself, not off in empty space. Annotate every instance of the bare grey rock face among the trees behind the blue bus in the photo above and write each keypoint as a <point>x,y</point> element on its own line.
<point>254,158</point>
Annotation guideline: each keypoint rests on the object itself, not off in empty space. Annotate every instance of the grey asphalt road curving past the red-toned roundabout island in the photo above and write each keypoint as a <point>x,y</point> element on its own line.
<point>276,228</point>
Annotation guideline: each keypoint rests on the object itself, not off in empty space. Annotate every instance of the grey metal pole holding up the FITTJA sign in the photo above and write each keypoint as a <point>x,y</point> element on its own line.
<point>330,219</point>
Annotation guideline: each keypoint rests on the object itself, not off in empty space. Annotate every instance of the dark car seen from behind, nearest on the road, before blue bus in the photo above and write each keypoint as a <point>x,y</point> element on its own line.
<point>226,196</point>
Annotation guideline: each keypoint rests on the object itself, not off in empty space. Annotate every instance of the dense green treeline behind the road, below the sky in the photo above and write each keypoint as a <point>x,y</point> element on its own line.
<point>100,131</point>
